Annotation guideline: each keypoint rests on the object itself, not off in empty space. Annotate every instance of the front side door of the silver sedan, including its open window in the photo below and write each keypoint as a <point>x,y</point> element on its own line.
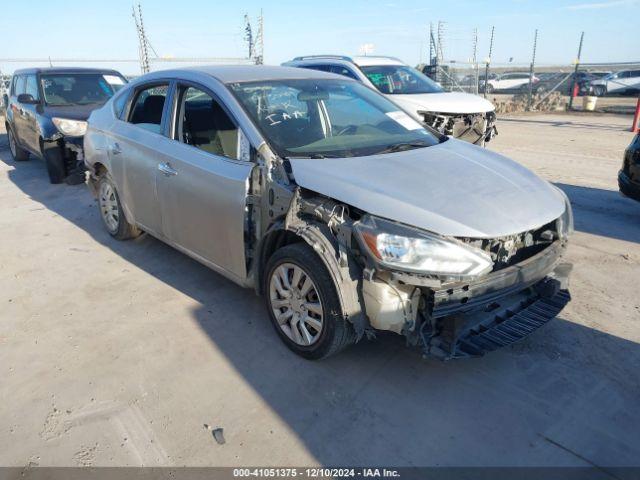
<point>202,185</point>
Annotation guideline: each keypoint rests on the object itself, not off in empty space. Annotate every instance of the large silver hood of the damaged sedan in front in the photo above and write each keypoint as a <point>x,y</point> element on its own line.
<point>454,189</point>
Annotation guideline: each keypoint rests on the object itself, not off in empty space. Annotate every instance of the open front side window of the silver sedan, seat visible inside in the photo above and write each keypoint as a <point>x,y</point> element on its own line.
<point>203,123</point>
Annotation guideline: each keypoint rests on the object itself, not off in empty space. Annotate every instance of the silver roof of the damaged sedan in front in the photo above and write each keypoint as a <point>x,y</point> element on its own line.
<point>245,73</point>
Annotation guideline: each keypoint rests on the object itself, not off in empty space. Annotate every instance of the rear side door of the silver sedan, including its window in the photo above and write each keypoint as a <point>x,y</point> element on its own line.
<point>136,149</point>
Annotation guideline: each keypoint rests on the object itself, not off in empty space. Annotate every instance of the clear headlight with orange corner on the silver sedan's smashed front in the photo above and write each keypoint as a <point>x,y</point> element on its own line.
<point>411,250</point>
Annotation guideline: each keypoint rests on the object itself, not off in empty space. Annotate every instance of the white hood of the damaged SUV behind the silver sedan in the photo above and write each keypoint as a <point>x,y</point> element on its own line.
<point>445,102</point>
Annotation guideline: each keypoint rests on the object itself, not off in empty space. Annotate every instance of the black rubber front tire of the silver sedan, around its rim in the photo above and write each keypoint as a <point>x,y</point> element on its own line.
<point>335,333</point>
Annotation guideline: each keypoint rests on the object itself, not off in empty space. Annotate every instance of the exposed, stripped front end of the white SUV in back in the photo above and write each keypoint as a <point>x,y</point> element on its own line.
<point>476,128</point>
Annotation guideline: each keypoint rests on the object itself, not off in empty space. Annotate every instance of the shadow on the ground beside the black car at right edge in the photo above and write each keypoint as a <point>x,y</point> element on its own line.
<point>604,212</point>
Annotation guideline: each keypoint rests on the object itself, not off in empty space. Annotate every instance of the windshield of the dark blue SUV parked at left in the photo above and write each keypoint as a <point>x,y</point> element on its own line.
<point>77,88</point>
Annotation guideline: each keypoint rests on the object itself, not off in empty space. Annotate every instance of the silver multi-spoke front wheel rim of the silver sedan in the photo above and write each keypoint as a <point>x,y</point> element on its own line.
<point>296,304</point>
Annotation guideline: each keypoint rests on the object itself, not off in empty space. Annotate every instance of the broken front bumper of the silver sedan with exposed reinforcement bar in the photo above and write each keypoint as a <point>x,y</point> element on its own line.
<point>470,318</point>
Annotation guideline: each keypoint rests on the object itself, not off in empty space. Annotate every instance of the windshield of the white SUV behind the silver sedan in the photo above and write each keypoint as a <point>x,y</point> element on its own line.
<point>399,79</point>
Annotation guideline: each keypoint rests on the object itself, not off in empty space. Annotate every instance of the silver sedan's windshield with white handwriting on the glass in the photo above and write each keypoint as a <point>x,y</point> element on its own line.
<point>328,118</point>
